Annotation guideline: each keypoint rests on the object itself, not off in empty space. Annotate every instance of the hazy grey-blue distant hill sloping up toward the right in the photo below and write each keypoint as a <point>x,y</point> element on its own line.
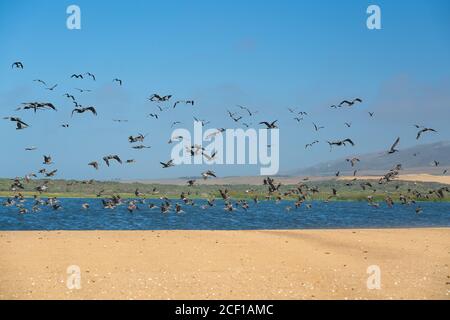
<point>418,159</point>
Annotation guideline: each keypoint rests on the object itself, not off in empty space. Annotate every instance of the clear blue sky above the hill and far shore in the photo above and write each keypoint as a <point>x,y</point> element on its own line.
<point>268,55</point>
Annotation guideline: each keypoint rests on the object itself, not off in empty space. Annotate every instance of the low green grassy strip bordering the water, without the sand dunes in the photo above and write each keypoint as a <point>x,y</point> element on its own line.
<point>345,192</point>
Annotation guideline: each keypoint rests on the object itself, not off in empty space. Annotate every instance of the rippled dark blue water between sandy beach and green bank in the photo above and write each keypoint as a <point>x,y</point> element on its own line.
<point>264,215</point>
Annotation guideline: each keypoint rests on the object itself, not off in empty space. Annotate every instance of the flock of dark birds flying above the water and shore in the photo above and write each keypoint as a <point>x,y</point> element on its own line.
<point>301,192</point>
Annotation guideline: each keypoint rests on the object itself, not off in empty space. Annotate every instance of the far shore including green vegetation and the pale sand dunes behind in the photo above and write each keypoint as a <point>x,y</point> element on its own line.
<point>343,188</point>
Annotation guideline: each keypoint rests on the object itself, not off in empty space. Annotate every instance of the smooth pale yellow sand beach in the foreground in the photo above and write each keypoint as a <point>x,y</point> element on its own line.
<point>330,264</point>
